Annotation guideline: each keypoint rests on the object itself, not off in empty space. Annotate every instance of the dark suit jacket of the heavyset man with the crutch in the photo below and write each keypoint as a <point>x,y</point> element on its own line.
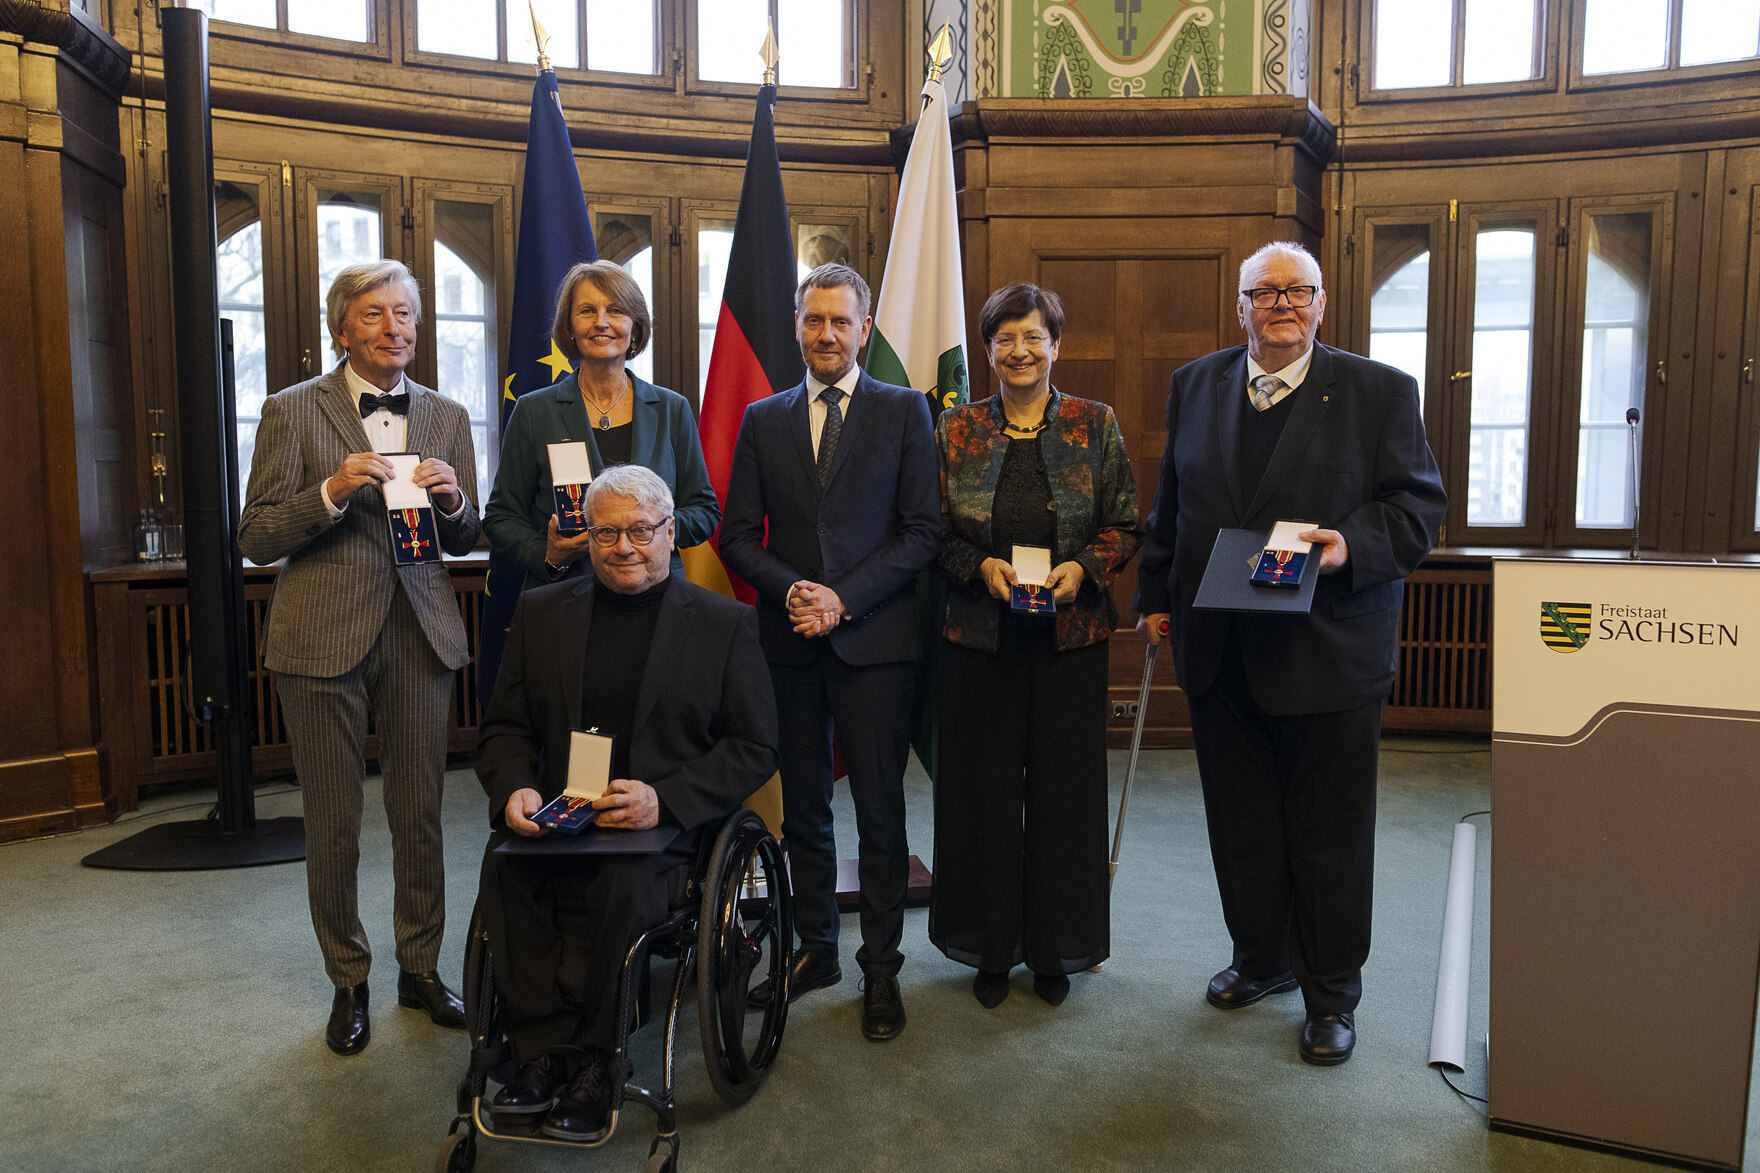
<point>1353,459</point>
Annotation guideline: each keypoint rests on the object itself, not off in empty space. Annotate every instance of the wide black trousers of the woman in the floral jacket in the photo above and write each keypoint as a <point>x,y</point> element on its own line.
<point>1022,806</point>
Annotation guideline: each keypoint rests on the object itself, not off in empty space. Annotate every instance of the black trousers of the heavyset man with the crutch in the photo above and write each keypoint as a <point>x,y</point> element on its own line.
<point>1291,811</point>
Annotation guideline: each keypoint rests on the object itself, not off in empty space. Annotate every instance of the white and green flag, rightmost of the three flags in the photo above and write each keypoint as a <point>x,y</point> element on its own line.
<point>920,337</point>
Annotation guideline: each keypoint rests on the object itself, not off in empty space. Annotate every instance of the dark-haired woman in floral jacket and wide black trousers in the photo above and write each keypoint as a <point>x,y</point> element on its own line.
<point>1022,788</point>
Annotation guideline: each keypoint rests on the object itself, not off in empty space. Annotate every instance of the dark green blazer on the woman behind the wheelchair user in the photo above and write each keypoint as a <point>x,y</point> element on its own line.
<point>664,439</point>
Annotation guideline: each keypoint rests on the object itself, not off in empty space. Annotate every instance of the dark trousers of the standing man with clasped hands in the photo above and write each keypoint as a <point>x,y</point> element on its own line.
<point>870,711</point>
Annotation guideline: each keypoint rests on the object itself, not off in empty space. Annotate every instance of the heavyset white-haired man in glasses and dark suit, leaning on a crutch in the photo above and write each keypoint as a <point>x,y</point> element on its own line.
<point>1287,709</point>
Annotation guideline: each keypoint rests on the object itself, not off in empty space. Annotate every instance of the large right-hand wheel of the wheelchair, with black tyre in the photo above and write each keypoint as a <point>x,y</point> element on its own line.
<point>744,936</point>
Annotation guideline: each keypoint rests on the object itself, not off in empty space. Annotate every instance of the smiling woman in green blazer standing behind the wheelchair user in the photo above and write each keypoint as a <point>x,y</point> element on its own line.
<point>601,323</point>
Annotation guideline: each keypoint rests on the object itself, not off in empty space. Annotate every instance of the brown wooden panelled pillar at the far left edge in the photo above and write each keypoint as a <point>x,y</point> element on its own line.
<point>61,173</point>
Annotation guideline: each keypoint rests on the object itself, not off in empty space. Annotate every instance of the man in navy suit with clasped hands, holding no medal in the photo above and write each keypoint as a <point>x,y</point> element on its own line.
<point>833,508</point>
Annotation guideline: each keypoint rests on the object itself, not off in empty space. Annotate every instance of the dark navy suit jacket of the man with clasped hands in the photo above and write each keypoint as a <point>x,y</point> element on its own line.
<point>865,535</point>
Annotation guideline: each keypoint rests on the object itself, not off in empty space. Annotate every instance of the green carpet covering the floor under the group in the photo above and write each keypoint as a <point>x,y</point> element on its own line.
<point>175,1022</point>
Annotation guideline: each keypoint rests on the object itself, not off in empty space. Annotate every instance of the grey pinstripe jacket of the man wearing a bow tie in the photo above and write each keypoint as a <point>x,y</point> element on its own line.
<point>341,580</point>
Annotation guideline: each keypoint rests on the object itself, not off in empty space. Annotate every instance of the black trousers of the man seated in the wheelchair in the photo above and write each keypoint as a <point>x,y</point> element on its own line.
<point>561,929</point>
